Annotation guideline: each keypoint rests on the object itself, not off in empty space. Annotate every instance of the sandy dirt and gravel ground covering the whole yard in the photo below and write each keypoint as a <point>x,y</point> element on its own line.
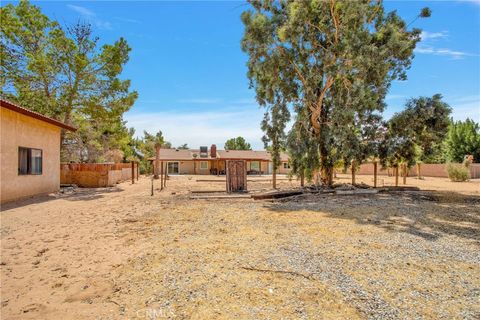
<point>119,253</point>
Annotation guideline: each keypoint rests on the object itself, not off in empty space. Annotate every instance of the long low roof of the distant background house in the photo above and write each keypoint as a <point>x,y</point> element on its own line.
<point>188,154</point>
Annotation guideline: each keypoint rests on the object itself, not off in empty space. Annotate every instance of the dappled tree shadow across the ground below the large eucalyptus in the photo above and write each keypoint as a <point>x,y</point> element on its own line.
<point>429,215</point>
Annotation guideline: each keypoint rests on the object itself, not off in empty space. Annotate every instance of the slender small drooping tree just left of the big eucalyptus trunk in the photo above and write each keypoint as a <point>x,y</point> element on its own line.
<point>273,125</point>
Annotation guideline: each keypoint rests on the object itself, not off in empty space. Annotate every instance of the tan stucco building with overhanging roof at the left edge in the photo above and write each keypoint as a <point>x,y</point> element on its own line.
<point>30,152</point>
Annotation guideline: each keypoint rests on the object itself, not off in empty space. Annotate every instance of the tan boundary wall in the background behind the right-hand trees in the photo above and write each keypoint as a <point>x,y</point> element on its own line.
<point>426,170</point>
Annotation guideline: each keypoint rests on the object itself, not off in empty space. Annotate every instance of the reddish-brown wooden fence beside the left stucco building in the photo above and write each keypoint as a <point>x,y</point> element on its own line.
<point>94,175</point>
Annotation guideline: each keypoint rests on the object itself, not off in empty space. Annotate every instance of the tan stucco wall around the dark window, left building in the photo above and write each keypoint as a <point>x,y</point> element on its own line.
<point>18,130</point>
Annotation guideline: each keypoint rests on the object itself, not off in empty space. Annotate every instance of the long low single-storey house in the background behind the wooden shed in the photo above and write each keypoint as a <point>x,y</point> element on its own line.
<point>212,161</point>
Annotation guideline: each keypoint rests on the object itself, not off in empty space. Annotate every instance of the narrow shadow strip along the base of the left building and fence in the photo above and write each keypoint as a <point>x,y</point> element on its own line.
<point>79,194</point>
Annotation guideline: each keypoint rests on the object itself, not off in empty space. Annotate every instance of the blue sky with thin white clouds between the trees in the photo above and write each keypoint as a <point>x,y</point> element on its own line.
<point>187,65</point>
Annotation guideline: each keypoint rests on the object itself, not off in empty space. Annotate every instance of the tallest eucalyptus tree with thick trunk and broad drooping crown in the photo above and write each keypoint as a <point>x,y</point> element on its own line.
<point>335,58</point>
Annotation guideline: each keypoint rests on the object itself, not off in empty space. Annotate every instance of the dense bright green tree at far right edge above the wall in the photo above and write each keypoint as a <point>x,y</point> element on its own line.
<point>463,138</point>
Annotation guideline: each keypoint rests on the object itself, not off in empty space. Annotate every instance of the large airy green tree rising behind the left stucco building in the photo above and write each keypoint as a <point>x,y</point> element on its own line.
<point>64,73</point>
